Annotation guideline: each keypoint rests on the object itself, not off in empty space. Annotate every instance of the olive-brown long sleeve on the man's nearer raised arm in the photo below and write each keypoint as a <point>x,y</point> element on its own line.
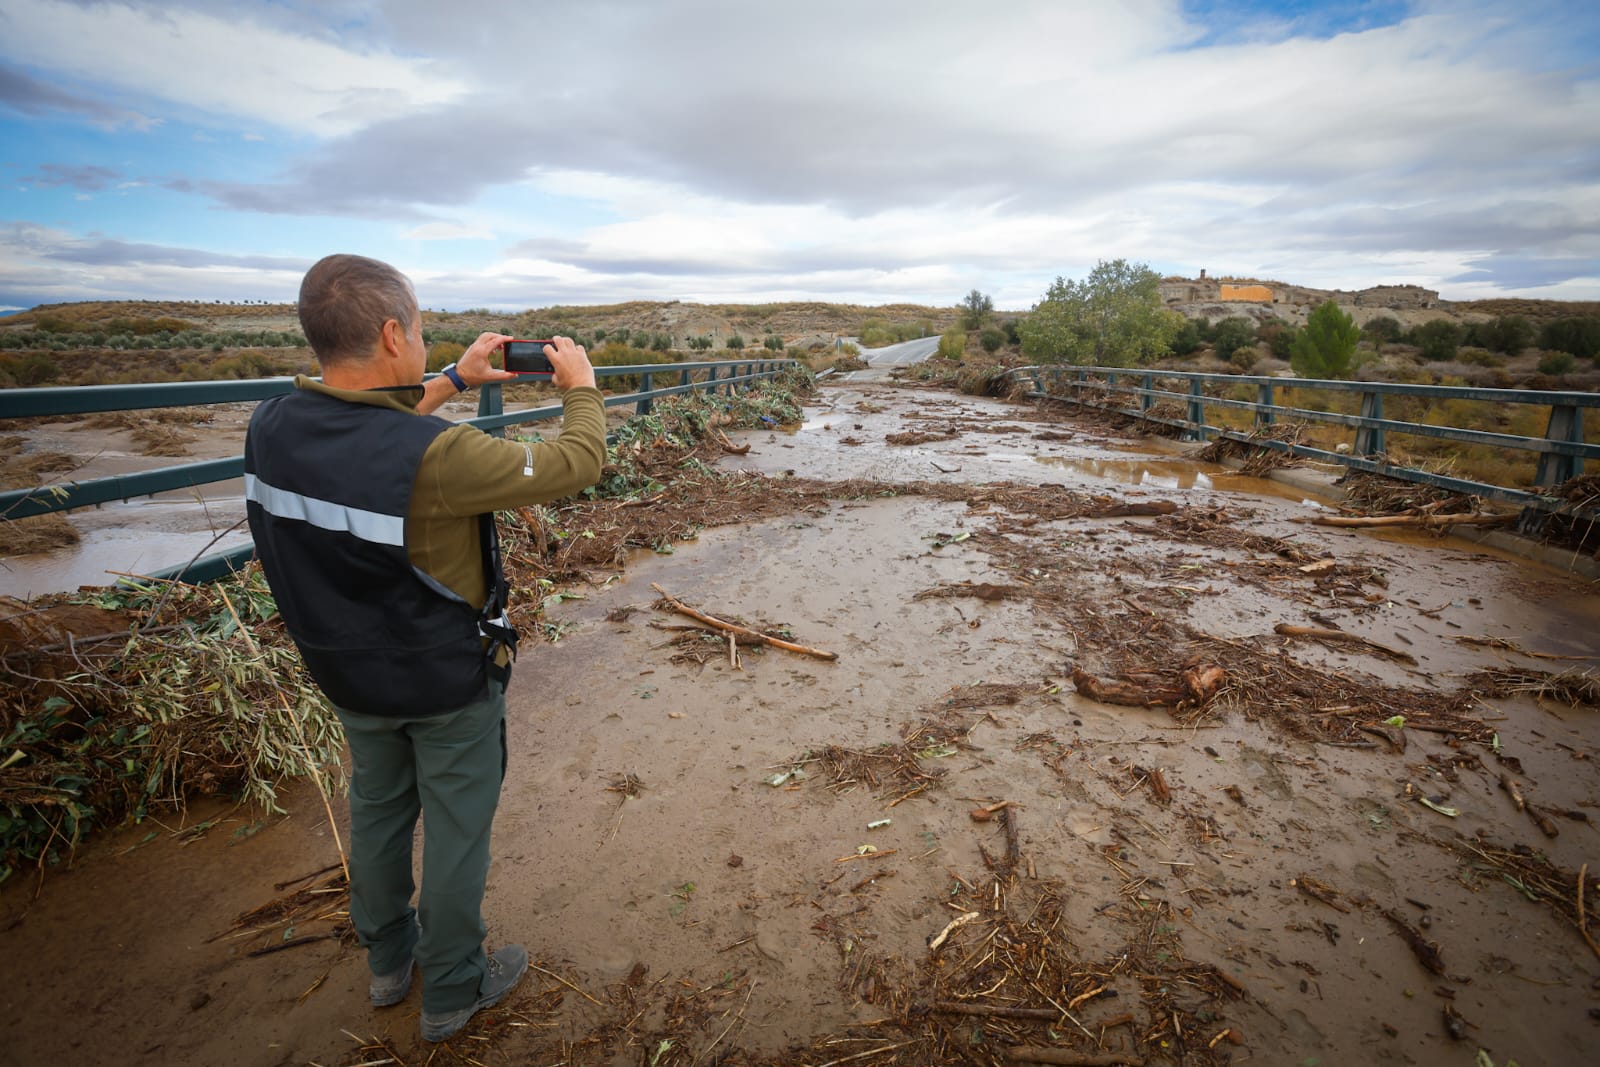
<point>470,473</point>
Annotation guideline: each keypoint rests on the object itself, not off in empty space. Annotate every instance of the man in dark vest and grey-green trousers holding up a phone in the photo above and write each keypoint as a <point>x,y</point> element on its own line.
<point>375,526</point>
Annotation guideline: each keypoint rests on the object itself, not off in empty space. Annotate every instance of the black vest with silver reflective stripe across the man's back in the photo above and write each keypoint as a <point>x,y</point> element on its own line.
<point>327,492</point>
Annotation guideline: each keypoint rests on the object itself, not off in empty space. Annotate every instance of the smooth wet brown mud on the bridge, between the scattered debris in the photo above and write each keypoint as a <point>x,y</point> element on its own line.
<point>713,876</point>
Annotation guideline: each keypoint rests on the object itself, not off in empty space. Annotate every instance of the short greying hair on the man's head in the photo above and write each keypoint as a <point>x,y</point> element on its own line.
<point>345,303</point>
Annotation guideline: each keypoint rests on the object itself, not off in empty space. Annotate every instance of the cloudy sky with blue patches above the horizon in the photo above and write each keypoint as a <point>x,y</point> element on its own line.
<point>519,154</point>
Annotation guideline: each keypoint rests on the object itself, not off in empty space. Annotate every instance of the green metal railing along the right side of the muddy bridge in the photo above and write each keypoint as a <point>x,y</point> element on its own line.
<point>1562,450</point>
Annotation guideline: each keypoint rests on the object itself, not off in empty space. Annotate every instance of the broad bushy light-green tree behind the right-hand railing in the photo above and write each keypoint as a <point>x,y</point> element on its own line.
<point>1111,319</point>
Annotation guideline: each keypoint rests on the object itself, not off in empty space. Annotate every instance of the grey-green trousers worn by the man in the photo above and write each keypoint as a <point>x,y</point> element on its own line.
<point>447,769</point>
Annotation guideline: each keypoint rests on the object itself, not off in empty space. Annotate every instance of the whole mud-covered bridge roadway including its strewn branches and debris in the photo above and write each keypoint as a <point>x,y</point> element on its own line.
<point>937,849</point>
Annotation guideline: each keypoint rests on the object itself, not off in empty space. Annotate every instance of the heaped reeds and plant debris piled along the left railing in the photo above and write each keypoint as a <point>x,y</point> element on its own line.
<point>126,701</point>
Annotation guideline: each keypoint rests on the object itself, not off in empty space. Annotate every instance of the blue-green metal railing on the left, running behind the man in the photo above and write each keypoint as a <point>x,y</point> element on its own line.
<point>15,404</point>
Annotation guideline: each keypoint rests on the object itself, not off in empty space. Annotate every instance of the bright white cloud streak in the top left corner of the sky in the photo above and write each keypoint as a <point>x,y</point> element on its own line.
<point>223,66</point>
